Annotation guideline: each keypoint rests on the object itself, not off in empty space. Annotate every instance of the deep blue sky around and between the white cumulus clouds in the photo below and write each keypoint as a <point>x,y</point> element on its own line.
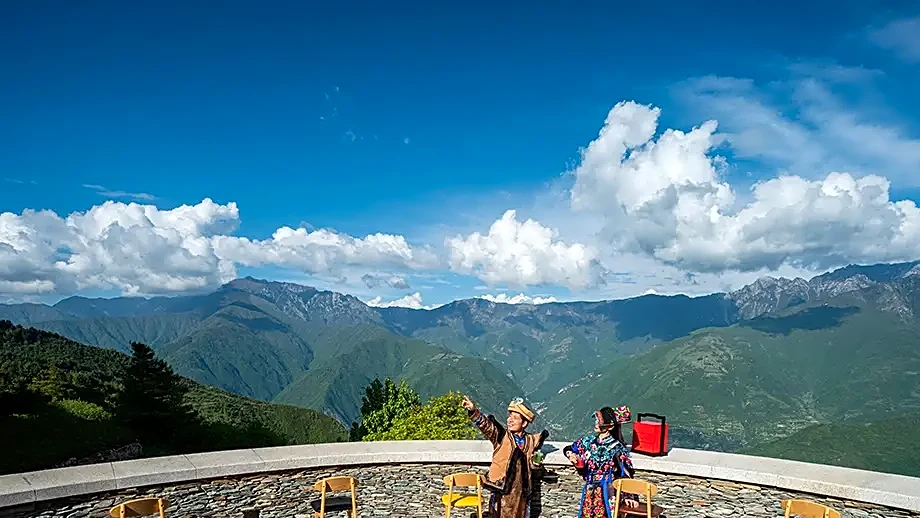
<point>429,121</point>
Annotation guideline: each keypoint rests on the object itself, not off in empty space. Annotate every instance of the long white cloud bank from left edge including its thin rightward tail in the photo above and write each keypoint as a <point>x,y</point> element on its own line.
<point>142,249</point>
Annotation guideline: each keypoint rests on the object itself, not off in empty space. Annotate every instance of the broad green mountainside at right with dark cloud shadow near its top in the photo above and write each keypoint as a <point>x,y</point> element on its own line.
<point>767,377</point>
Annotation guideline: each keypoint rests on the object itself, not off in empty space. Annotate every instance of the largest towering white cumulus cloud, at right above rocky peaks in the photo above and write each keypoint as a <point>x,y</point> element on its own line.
<point>666,198</point>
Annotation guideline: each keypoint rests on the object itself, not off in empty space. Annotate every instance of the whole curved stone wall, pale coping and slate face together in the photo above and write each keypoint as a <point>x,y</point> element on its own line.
<point>405,479</point>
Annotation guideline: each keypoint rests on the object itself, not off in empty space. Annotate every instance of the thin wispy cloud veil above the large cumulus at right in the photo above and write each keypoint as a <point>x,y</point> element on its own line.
<point>800,125</point>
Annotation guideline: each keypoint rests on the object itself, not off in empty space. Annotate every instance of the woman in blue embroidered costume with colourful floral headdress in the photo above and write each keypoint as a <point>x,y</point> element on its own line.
<point>601,458</point>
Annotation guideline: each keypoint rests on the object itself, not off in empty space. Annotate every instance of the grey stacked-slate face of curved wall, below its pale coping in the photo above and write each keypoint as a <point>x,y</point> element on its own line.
<point>413,490</point>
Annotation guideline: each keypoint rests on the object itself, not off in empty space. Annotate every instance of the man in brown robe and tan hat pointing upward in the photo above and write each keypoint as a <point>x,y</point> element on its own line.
<point>510,476</point>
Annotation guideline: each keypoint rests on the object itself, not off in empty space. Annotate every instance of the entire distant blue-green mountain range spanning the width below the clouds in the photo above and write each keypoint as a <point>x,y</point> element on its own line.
<point>730,370</point>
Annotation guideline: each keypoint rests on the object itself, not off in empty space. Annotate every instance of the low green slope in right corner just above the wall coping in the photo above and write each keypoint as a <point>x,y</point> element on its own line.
<point>890,446</point>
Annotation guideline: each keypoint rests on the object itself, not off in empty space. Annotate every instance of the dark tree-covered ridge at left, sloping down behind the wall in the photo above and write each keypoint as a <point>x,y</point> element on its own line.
<point>62,402</point>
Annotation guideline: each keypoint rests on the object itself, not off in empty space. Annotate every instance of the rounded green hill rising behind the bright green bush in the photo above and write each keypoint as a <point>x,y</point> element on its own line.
<point>335,385</point>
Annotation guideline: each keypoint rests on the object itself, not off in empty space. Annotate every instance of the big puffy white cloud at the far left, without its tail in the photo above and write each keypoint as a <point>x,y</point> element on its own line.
<point>133,248</point>
